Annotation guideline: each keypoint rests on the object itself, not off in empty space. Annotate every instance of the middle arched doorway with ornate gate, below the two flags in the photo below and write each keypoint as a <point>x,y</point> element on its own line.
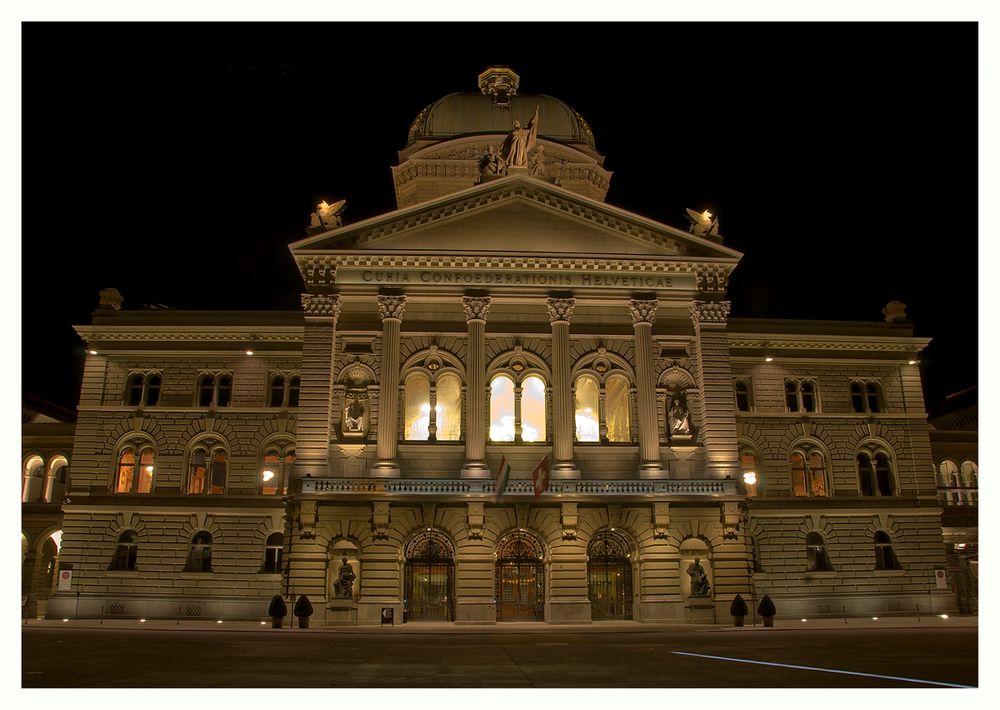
<point>520,578</point>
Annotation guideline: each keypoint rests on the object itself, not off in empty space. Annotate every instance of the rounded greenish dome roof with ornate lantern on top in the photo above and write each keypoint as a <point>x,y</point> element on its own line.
<point>495,109</point>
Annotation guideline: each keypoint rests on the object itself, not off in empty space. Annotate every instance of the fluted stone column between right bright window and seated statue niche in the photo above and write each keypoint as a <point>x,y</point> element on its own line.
<point>643,314</point>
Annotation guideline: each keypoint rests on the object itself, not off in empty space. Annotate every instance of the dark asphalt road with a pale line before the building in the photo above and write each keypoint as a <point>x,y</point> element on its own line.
<point>111,658</point>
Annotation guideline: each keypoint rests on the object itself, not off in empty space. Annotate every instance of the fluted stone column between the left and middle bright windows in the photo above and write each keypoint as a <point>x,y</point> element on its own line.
<point>476,308</point>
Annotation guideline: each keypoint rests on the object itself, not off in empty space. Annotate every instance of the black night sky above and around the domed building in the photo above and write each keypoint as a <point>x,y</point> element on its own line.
<point>176,162</point>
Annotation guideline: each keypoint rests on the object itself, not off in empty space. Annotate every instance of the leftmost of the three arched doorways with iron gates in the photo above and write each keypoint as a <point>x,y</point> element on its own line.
<point>429,578</point>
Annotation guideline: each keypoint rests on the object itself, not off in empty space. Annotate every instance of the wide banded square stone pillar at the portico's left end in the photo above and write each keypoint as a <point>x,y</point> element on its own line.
<point>315,413</point>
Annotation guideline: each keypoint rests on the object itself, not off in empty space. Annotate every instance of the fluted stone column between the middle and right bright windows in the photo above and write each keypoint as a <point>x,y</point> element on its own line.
<point>563,428</point>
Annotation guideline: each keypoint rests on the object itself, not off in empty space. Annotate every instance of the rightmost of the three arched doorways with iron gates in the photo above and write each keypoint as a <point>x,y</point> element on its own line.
<point>609,576</point>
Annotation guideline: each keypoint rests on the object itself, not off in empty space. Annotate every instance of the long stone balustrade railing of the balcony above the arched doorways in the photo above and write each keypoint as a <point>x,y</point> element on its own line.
<point>515,489</point>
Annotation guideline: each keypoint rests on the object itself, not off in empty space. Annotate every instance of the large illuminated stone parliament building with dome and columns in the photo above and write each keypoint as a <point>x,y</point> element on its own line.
<point>505,400</point>
